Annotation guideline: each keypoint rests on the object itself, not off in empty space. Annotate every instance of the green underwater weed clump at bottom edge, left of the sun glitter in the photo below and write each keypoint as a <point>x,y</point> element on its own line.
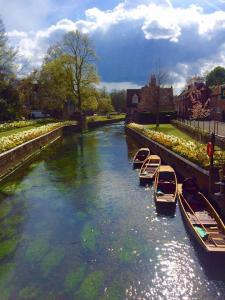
<point>90,287</point>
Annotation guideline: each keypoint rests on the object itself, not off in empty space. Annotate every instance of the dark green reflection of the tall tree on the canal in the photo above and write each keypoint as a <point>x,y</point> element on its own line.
<point>74,166</point>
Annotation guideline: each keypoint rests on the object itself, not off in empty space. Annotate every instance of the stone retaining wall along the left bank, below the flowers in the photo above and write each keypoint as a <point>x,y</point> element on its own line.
<point>14,158</point>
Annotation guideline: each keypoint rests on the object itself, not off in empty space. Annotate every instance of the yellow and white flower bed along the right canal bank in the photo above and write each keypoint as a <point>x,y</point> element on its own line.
<point>192,151</point>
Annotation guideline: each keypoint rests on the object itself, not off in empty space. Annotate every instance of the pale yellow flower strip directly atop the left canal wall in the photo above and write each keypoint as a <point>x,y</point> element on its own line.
<point>13,140</point>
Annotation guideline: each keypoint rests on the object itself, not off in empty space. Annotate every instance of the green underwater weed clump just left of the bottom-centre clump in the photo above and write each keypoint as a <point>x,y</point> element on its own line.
<point>74,278</point>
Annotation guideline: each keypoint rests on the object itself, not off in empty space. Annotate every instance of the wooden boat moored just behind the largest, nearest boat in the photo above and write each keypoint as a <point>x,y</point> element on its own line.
<point>165,185</point>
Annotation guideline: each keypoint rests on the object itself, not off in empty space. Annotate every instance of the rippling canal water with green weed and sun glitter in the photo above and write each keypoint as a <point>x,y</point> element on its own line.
<point>75,224</point>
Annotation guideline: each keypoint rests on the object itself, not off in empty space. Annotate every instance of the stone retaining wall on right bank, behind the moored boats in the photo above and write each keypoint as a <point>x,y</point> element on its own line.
<point>183,167</point>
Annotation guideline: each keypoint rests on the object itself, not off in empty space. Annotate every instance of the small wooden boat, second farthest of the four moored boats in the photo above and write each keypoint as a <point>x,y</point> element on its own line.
<point>149,168</point>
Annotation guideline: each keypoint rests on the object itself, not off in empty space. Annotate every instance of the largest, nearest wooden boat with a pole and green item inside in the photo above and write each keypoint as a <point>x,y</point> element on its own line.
<point>204,223</point>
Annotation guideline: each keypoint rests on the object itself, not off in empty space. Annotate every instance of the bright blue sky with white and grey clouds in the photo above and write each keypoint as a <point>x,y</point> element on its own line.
<point>131,37</point>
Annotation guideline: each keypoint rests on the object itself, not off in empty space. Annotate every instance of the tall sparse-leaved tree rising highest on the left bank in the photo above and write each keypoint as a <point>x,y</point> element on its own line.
<point>76,55</point>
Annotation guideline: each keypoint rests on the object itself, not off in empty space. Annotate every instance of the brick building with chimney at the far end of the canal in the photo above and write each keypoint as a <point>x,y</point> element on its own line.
<point>141,102</point>
